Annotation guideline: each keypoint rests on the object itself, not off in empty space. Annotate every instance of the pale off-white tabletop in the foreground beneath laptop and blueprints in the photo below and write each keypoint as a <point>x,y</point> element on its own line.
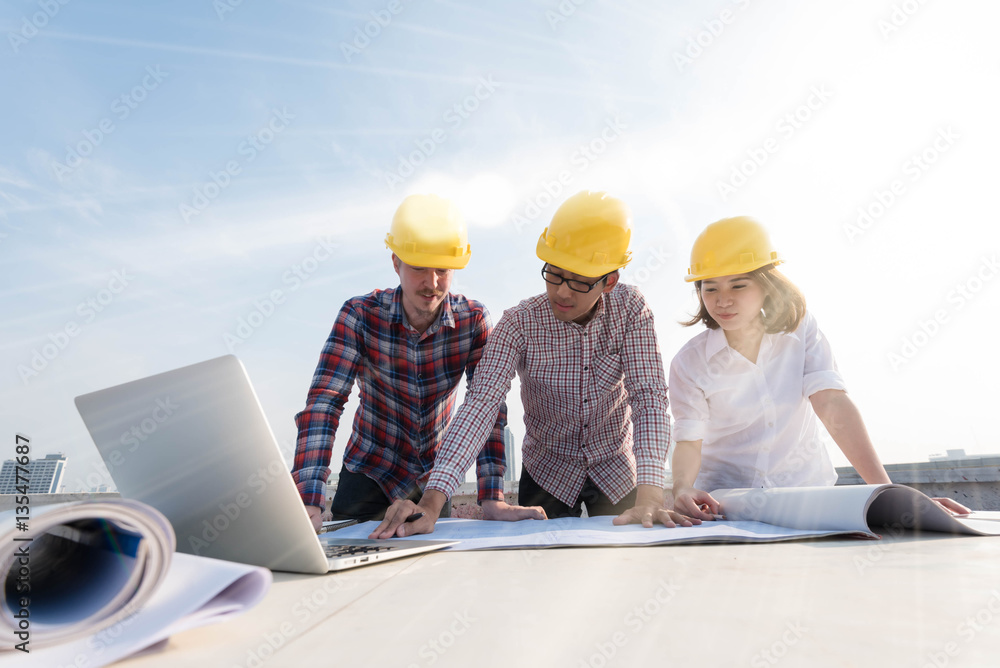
<point>904,601</point>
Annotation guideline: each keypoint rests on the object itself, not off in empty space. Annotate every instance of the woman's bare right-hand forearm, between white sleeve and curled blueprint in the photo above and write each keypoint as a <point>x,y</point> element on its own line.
<point>842,420</point>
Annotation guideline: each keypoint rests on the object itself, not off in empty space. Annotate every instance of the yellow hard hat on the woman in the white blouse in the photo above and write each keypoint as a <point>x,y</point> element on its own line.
<point>731,246</point>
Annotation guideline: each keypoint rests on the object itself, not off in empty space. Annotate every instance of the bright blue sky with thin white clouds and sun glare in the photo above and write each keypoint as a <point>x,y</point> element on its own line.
<point>170,170</point>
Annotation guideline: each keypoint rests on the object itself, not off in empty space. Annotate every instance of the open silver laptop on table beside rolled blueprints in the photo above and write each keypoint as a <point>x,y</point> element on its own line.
<point>194,444</point>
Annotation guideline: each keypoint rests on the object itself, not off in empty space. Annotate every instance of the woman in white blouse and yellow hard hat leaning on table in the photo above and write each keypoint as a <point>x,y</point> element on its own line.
<point>745,393</point>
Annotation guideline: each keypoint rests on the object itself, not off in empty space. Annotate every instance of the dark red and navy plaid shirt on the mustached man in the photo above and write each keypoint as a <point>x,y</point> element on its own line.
<point>407,383</point>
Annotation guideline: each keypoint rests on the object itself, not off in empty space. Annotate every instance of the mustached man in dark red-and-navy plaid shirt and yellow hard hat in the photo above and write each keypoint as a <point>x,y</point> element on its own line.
<point>408,348</point>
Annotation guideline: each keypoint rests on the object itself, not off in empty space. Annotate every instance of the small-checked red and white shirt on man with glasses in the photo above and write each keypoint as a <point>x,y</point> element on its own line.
<point>595,398</point>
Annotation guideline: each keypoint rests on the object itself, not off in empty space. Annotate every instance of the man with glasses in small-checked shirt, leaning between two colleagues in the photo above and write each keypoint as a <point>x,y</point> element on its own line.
<point>592,385</point>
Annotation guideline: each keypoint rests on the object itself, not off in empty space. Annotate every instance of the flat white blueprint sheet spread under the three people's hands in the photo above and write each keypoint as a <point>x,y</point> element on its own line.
<point>591,532</point>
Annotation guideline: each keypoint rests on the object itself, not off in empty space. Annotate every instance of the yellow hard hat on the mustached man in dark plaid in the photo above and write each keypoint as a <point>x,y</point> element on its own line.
<point>429,231</point>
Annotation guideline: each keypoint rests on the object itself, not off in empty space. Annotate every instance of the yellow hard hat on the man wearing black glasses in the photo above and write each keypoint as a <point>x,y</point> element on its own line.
<point>589,235</point>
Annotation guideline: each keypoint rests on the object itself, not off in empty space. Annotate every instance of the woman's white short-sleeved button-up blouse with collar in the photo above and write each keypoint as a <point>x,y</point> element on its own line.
<point>755,421</point>
